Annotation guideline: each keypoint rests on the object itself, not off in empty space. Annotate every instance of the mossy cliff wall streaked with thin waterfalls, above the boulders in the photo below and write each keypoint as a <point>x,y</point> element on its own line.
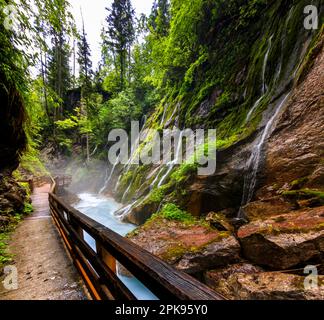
<point>270,56</point>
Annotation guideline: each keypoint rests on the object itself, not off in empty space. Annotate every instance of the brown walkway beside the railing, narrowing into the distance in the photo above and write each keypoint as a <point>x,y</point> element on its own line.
<point>45,272</point>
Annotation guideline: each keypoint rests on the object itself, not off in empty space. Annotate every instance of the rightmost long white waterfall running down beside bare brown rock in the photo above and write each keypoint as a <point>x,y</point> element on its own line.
<point>255,159</point>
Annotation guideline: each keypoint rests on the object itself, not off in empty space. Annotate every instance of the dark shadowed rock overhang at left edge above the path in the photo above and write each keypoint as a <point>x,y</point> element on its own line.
<point>12,138</point>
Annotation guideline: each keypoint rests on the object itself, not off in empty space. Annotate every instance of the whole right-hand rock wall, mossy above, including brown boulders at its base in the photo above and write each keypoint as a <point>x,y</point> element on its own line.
<point>270,119</point>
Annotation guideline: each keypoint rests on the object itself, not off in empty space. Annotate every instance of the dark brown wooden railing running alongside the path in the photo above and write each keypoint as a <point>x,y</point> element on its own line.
<point>98,266</point>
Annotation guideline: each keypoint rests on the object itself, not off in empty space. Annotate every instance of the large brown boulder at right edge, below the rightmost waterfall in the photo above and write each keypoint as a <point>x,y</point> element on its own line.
<point>285,240</point>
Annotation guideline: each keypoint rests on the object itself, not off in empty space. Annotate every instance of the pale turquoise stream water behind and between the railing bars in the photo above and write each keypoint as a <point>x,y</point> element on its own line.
<point>102,210</point>
